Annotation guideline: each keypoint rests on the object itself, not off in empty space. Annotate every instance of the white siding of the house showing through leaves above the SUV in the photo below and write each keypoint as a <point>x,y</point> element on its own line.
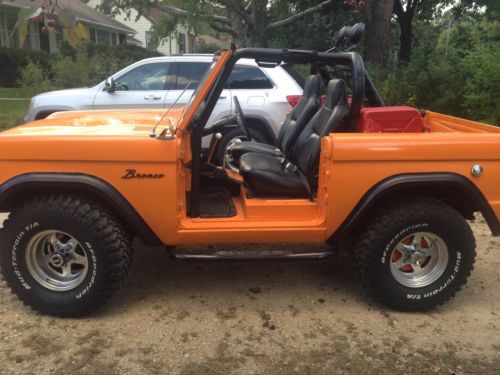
<point>169,46</point>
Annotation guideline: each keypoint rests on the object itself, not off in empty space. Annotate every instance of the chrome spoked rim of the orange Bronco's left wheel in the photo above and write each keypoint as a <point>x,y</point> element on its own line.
<point>56,260</point>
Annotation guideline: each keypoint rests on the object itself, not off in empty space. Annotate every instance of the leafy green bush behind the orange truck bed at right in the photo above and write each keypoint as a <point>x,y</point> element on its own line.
<point>456,74</point>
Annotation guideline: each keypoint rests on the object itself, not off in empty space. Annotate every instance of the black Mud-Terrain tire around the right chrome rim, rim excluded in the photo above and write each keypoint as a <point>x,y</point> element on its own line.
<point>388,226</point>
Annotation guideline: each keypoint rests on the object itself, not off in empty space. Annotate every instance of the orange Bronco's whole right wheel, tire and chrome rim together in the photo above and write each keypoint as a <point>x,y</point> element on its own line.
<point>416,255</point>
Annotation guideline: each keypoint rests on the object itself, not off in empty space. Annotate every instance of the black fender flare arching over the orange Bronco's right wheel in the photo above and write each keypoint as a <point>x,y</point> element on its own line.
<point>402,182</point>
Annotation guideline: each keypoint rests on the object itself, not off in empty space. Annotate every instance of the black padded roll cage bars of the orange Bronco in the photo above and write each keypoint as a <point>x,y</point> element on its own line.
<point>361,85</point>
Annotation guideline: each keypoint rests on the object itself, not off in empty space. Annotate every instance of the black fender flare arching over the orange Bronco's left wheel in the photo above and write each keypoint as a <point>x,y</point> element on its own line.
<point>86,183</point>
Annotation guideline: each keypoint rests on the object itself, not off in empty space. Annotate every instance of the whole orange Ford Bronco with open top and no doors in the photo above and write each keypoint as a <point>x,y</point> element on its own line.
<point>391,185</point>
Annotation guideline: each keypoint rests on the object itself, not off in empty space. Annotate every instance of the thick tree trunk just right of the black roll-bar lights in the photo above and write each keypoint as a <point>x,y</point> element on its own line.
<point>378,23</point>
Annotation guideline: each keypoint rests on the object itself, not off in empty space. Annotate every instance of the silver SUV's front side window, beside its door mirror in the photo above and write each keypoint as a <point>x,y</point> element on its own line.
<point>144,78</point>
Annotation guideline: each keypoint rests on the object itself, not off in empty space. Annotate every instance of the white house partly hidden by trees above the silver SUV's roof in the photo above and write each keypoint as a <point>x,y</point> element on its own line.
<point>182,41</point>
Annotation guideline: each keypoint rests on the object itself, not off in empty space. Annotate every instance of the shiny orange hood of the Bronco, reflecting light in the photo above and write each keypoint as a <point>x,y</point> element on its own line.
<point>98,123</point>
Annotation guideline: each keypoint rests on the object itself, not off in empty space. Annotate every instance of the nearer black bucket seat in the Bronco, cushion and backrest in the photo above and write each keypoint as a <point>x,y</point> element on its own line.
<point>268,175</point>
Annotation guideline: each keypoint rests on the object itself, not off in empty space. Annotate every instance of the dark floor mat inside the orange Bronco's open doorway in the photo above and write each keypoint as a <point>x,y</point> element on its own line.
<point>216,202</point>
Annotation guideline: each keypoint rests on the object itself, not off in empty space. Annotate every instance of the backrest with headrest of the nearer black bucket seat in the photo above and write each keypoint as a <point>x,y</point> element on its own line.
<point>329,118</point>
